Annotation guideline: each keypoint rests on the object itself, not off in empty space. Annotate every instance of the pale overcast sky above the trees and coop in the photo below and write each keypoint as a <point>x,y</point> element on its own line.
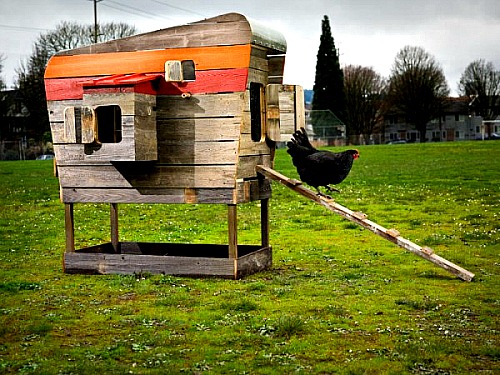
<point>366,32</point>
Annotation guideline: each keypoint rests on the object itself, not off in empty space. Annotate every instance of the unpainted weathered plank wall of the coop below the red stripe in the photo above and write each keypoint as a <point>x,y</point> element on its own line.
<point>203,156</point>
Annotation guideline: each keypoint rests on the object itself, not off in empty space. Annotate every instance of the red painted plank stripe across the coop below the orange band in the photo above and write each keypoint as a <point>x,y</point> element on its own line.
<point>207,82</point>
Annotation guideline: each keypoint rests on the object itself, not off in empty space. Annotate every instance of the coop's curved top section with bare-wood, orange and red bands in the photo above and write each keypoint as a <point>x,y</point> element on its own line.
<point>220,47</point>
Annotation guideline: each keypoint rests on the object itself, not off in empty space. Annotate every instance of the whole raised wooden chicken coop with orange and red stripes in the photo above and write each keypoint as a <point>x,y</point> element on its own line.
<point>182,115</point>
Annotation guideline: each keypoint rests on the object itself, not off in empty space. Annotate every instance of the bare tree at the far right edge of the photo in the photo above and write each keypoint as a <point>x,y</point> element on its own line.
<point>481,82</point>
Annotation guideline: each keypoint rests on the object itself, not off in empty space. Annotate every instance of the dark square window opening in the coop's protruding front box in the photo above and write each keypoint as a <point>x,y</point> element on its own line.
<point>108,124</point>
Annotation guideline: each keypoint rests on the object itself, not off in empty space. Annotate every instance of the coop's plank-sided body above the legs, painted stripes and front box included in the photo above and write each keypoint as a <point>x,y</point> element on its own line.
<point>182,142</point>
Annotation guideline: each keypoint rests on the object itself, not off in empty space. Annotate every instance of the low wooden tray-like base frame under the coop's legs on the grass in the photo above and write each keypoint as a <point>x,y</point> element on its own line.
<point>200,260</point>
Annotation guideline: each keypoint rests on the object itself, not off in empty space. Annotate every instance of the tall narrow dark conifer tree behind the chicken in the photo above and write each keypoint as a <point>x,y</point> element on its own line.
<point>329,79</point>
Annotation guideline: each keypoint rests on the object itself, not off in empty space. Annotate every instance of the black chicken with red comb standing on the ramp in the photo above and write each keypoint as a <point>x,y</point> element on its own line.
<point>319,168</point>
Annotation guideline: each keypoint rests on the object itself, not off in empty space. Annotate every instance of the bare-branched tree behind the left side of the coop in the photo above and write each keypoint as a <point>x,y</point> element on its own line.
<point>30,82</point>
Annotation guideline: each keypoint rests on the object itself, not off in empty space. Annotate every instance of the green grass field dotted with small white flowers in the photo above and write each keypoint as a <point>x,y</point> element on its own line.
<point>338,299</point>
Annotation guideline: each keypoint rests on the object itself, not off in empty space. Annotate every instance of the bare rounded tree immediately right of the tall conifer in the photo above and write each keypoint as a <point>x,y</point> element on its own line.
<point>364,91</point>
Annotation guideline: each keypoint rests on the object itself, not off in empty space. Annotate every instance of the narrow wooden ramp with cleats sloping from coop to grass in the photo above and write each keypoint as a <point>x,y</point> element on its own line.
<point>361,219</point>
